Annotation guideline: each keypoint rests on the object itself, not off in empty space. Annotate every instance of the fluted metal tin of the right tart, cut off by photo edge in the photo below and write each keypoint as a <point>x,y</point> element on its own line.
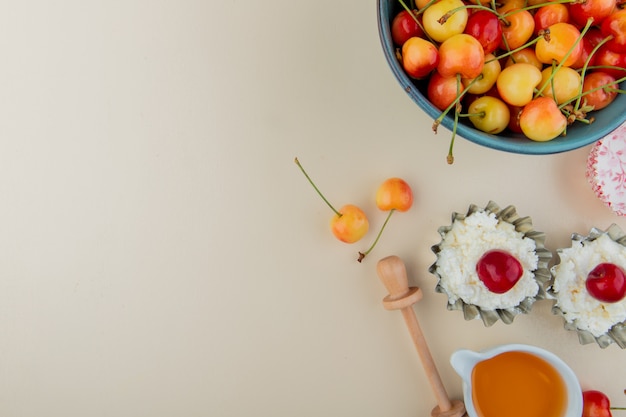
<point>617,333</point>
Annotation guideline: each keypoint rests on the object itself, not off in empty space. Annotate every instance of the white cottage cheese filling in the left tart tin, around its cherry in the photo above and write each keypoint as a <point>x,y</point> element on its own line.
<point>463,246</point>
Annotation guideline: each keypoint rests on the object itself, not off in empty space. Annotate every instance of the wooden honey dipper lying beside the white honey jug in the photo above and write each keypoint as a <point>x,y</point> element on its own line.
<point>392,273</point>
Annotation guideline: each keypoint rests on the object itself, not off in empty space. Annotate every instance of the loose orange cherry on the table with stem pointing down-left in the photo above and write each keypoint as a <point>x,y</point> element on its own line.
<point>394,194</point>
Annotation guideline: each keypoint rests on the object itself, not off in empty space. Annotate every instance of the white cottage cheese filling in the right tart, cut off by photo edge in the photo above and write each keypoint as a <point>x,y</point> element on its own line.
<point>577,305</point>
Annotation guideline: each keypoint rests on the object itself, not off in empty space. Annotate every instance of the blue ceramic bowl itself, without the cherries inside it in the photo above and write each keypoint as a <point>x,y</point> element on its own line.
<point>578,134</point>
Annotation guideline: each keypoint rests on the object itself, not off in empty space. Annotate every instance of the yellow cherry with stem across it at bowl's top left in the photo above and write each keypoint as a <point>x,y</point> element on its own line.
<point>456,19</point>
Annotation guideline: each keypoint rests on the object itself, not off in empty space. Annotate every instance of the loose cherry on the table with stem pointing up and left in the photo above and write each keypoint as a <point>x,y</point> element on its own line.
<point>349,224</point>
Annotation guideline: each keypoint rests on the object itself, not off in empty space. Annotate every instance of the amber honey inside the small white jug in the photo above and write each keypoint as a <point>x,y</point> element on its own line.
<point>518,384</point>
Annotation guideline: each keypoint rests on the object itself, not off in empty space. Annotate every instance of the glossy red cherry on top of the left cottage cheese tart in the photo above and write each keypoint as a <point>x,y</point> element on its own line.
<point>499,270</point>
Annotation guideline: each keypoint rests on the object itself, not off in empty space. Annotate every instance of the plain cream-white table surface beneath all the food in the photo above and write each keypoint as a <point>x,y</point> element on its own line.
<point>161,254</point>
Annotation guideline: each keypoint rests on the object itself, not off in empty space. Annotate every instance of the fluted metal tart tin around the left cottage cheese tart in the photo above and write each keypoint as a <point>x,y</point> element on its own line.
<point>541,274</point>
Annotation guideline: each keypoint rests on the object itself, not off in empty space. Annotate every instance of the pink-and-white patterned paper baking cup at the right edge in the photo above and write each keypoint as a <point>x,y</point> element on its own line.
<point>606,169</point>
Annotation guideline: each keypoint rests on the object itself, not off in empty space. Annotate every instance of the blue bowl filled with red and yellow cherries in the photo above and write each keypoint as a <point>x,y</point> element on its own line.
<point>524,76</point>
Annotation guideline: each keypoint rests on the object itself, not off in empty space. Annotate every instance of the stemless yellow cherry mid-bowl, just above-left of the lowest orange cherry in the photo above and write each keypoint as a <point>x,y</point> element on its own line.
<point>517,82</point>
